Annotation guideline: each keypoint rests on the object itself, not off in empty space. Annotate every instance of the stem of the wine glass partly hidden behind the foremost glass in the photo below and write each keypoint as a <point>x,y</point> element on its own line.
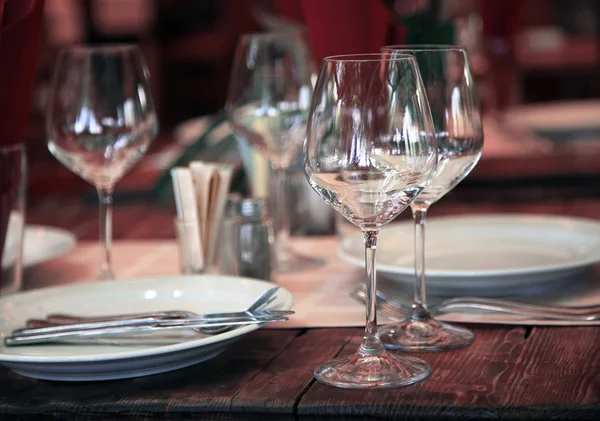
<point>419,307</point>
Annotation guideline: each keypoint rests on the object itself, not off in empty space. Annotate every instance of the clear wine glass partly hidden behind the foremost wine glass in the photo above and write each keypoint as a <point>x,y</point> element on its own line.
<point>446,73</point>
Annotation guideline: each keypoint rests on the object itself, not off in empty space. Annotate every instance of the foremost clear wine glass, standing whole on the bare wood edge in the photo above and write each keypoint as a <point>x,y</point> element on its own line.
<point>370,149</point>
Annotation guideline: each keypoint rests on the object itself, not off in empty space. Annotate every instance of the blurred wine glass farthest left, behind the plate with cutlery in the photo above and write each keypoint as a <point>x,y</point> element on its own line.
<point>100,121</point>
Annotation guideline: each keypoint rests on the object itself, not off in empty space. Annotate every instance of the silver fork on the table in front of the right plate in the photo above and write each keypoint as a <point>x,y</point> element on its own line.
<point>397,310</point>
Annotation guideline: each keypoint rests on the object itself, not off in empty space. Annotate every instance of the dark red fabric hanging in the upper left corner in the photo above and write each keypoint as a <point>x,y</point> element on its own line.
<point>20,34</point>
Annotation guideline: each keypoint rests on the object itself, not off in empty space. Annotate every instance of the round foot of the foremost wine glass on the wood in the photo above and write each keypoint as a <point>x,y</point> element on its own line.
<point>372,372</point>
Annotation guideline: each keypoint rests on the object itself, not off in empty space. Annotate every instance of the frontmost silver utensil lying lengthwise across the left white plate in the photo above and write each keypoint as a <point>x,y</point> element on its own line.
<point>39,336</point>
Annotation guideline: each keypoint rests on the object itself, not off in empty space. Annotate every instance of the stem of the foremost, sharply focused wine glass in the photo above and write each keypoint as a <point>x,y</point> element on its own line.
<point>371,344</point>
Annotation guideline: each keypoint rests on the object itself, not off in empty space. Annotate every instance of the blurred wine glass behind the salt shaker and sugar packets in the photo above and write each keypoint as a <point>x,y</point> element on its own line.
<point>268,102</point>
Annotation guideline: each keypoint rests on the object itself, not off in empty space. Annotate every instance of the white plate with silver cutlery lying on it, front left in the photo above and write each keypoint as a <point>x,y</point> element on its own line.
<point>67,362</point>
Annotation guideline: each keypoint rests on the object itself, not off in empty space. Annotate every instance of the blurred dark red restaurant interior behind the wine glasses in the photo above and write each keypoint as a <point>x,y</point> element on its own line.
<point>537,63</point>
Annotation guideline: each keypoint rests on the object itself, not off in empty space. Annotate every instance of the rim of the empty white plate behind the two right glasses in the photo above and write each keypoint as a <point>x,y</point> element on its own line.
<point>453,273</point>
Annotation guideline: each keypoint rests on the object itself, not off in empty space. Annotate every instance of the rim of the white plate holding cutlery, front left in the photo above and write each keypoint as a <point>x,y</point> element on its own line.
<point>145,352</point>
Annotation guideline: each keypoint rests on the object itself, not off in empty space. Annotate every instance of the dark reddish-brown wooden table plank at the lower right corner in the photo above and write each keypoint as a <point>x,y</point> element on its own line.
<point>483,380</point>
